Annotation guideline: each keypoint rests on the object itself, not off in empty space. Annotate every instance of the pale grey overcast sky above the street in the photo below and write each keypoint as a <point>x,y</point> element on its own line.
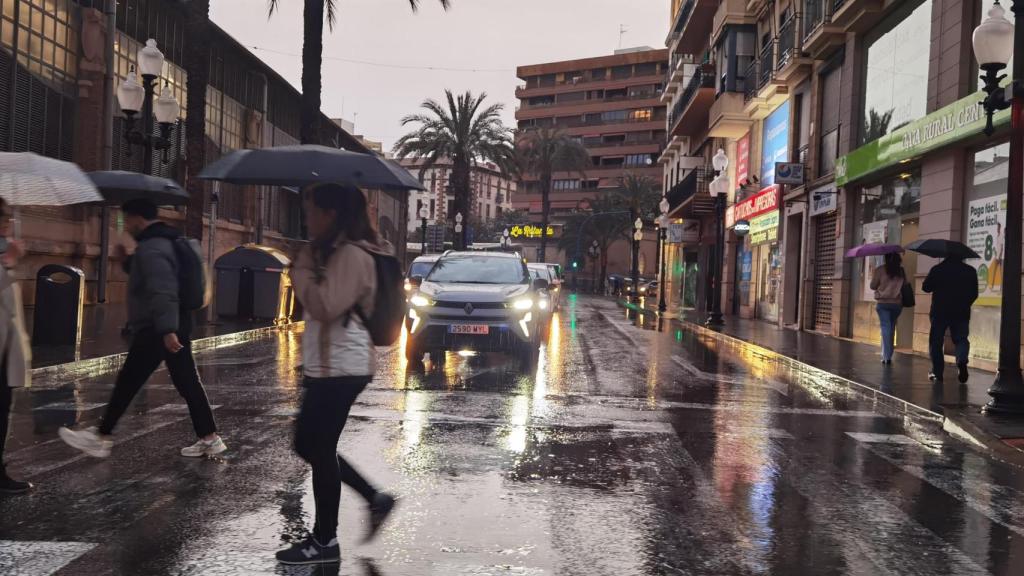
<point>492,36</point>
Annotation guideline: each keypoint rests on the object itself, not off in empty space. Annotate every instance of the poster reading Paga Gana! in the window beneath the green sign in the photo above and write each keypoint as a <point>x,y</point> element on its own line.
<point>986,235</point>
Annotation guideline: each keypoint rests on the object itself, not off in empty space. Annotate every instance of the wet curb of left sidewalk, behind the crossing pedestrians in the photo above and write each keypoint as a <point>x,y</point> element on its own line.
<point>104,364</point>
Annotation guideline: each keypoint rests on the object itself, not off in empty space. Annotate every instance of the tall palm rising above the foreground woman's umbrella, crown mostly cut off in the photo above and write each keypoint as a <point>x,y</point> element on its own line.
<point>314,16</point>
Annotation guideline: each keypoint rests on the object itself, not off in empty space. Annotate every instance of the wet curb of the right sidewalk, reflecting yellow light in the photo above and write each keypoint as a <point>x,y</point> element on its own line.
<point>915,417</point>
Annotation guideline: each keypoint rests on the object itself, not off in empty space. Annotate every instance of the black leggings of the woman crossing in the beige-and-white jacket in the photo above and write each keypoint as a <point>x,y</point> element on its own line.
<point>325,410</point>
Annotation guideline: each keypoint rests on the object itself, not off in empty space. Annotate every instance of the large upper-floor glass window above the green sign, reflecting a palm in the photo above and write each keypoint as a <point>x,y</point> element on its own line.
<point>897,79</point>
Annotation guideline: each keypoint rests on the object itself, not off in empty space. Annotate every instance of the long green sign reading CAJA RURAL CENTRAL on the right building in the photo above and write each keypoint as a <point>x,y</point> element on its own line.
<point>963,119</point>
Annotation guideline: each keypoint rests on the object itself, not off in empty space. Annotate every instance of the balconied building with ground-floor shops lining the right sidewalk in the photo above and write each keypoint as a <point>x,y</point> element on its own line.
<point>880,104</point>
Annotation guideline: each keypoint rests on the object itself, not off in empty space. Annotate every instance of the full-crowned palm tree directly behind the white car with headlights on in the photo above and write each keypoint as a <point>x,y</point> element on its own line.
<point>464,133</point>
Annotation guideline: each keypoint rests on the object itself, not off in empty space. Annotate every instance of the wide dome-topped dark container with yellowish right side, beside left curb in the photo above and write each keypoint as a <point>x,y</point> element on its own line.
<point>253,284</point>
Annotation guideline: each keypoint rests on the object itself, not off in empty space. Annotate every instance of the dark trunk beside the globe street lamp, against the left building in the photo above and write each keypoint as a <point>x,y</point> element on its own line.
<point>198,68</point>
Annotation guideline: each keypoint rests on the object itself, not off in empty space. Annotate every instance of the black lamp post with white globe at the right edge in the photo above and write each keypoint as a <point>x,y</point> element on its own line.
<point>995,45</point>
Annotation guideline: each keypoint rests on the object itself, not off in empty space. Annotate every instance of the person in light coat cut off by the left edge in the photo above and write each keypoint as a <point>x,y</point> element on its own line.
<point>15,349</point>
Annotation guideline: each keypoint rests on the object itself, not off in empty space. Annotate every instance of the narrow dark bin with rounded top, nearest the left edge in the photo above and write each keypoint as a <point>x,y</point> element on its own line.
<point>60,297</point>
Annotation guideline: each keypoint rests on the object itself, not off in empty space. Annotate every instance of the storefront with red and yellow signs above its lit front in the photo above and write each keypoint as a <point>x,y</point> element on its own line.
<point>759,264</point>
